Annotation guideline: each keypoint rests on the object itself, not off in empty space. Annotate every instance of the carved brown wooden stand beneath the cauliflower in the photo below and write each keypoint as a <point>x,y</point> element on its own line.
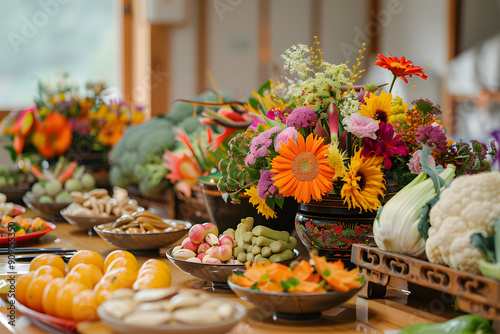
<point>474,293</point>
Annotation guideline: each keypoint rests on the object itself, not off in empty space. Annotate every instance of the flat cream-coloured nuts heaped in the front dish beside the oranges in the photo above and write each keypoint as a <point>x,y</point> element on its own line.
<point>154,307</point>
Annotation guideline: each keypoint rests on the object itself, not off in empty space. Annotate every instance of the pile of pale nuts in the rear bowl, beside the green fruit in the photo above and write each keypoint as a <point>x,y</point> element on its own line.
<point>98,203</point>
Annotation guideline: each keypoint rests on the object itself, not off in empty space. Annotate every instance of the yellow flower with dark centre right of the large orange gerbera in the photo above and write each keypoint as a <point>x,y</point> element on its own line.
<point>364,182</point>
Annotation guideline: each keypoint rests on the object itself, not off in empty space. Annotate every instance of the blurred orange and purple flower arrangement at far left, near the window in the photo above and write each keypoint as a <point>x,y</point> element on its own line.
<point>60,119</point>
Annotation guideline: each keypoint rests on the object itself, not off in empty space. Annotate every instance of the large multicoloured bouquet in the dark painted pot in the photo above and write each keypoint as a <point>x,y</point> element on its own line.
<point>318,134</point>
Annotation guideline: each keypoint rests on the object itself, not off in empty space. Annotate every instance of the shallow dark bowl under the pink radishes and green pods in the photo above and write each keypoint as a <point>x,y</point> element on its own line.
<point>215,273</point>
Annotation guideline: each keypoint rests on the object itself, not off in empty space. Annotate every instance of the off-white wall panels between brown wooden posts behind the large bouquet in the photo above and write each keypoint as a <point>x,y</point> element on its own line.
<point>414,29</point>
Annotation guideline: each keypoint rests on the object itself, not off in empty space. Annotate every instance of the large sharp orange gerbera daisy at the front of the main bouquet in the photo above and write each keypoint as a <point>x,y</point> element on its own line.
<point>302,169</point>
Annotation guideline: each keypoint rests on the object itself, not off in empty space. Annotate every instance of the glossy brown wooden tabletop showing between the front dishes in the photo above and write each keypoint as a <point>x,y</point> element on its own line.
<point>395,311</point>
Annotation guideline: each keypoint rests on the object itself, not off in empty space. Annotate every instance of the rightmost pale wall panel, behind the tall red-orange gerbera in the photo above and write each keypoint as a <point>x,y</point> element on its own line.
<point>416,30</point>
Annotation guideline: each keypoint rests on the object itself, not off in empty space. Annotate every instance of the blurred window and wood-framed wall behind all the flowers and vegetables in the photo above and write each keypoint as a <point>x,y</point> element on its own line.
<point>152,52</point>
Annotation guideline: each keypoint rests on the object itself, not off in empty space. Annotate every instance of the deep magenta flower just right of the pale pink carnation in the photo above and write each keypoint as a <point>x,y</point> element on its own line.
<point>387,145</point>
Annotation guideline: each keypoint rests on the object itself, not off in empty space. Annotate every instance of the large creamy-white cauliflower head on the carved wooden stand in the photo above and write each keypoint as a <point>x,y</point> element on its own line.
<point>470,205</point>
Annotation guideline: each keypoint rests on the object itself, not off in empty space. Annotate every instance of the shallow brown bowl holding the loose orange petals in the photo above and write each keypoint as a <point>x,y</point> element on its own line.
<point>293,306</point>
